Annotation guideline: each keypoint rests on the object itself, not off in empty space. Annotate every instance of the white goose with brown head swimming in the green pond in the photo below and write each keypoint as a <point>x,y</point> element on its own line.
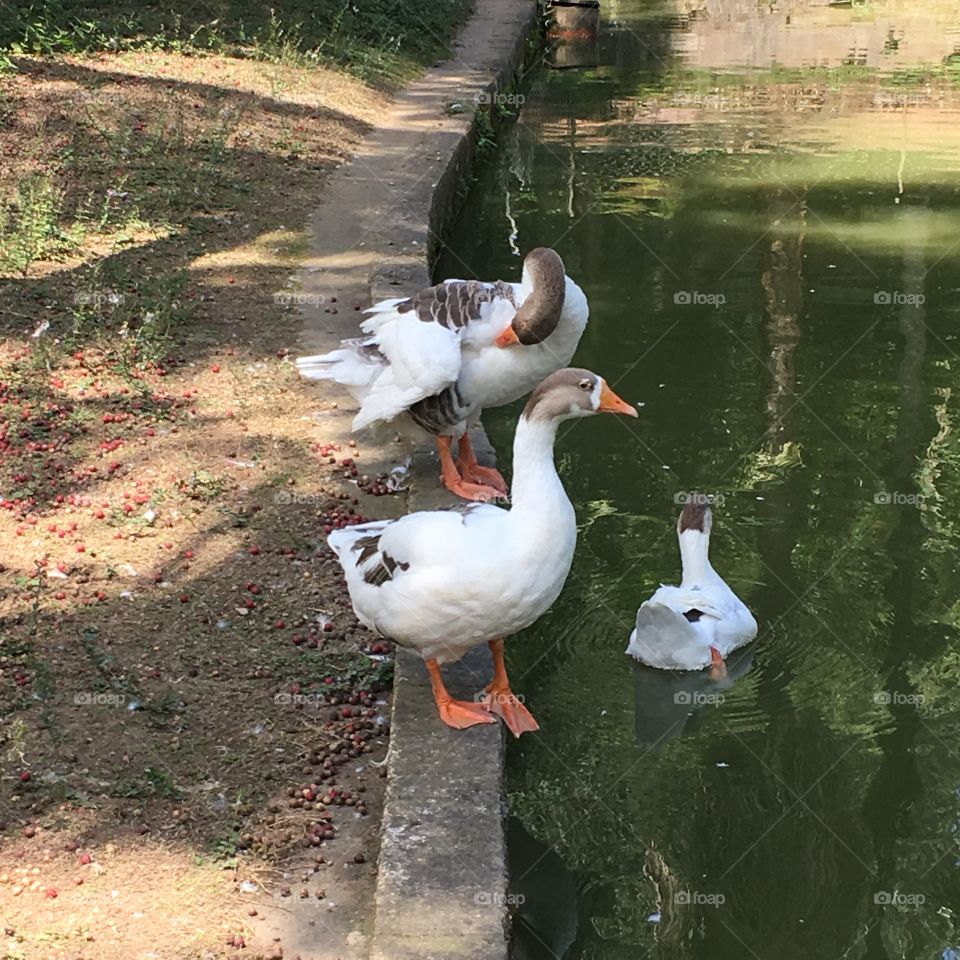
<point>699,623</point>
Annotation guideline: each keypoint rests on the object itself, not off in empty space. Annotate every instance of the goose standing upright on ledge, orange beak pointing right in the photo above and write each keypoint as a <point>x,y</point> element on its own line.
<point>443,581</point>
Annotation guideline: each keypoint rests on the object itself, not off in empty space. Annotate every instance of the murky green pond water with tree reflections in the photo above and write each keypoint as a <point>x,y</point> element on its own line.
<point>772,258</point>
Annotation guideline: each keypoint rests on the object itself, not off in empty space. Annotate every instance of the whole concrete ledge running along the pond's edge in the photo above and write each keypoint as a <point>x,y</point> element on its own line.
<point>442,876</point>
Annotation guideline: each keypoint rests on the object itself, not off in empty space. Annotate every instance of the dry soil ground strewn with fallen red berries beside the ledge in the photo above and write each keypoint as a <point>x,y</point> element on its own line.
<point>190,717</point>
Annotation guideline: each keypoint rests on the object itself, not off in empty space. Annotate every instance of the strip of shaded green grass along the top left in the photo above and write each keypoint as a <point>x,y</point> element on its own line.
<point>383,42</point>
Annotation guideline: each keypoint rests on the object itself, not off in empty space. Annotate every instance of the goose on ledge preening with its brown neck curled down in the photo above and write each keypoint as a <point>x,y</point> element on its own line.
<point>440,357</point>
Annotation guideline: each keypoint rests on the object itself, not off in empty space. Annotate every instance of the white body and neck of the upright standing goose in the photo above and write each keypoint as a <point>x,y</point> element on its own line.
<point>473,574</point>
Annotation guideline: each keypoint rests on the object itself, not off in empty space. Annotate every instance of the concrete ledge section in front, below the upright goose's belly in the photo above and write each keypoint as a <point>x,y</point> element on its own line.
<point>442,883</point>
